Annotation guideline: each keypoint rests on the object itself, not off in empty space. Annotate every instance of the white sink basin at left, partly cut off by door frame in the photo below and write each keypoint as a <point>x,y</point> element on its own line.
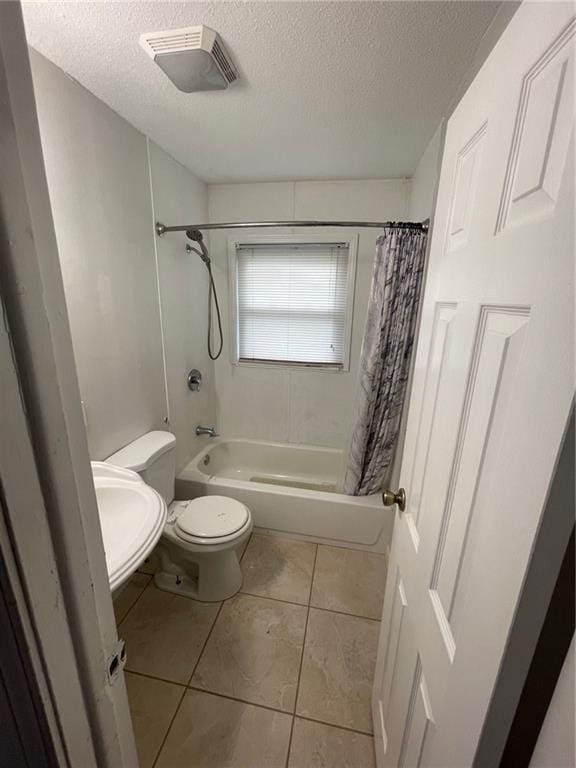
<point>132,517</point>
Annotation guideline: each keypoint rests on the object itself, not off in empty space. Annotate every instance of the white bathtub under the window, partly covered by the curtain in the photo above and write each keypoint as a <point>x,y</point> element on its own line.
<point>290,489</point>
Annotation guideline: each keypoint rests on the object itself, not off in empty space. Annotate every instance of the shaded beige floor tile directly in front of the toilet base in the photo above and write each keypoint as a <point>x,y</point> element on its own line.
<point>165,633</point>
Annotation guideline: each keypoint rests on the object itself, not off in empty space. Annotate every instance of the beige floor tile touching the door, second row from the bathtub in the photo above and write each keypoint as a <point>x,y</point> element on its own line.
<point>338,669</point>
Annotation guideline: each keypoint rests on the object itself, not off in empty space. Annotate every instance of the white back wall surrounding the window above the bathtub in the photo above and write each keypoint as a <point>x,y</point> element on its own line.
<point>300,406</point>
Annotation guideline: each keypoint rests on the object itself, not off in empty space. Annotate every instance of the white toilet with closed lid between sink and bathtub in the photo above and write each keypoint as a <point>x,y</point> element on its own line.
<point>199,543</point>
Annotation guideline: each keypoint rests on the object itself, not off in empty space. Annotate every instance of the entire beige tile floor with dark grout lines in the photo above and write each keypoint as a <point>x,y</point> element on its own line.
<point>279,676</point>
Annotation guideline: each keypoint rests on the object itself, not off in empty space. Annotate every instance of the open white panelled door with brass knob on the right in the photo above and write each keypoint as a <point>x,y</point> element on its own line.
<point>493,384</point>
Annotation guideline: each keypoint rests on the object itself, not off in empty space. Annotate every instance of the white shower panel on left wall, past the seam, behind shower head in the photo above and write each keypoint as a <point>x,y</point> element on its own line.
<point>179,197</point>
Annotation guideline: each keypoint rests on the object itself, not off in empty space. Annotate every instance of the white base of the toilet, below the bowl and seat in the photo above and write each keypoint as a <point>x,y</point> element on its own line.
<point>209,578</point>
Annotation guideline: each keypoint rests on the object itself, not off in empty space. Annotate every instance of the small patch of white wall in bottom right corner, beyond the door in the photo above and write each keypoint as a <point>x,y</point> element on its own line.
<point>555,745</point>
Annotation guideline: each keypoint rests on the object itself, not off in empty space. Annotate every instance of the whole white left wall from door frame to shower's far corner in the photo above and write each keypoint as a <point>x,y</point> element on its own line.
<point>99,179</point>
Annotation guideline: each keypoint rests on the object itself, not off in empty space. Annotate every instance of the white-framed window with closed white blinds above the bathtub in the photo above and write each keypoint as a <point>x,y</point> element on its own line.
<point>293,301</point>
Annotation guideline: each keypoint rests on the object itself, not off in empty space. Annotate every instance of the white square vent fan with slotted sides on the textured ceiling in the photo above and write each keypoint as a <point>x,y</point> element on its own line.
<point>194,58</point>
